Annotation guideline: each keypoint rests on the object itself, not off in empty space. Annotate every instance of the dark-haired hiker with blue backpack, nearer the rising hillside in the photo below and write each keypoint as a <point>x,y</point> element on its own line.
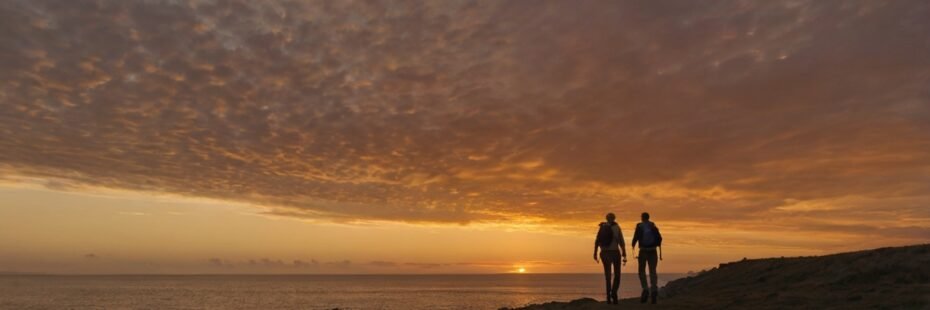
<point>650,240</point>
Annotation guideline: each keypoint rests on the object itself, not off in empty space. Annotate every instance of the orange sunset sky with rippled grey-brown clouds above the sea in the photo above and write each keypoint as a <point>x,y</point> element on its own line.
<point>455,136</point>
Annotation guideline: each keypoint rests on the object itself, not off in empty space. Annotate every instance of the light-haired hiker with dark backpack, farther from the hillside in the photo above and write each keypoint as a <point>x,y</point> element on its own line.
<point>610,240</point>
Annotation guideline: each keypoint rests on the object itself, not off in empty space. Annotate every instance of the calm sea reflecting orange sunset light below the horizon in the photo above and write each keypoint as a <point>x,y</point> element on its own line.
<point>303,291</point>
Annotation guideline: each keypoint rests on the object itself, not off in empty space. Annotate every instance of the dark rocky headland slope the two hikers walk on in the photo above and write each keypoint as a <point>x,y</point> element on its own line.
<point>886,278</point>
